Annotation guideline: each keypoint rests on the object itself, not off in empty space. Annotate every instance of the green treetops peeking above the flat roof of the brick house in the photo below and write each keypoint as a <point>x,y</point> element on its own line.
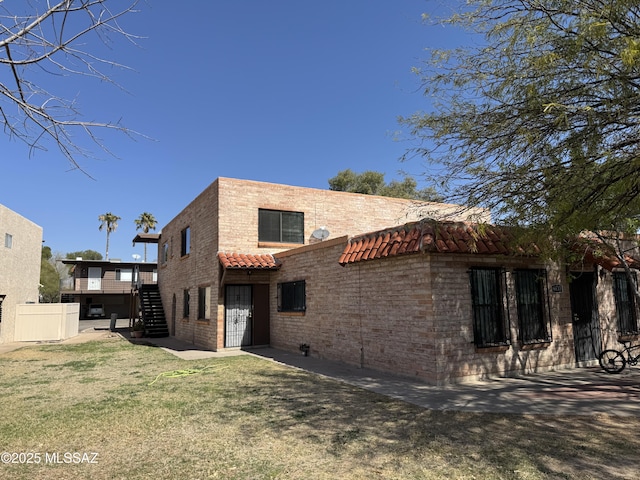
<point>373,183</point>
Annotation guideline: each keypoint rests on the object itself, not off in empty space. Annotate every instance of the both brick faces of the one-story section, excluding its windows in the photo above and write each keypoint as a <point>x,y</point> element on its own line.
<point>411,315</point>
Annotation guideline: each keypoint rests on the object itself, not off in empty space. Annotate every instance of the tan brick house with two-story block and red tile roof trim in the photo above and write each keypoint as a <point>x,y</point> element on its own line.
<point>250,263</point>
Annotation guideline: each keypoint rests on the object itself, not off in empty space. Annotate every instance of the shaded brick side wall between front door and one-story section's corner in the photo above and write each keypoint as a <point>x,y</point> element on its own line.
<point>372,314</point>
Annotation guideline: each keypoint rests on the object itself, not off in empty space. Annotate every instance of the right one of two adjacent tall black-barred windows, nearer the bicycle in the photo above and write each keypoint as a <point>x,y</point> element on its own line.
<point>530,298</point>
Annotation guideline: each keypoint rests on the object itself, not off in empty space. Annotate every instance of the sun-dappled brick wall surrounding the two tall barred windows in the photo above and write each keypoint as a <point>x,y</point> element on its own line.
<point>457,356</point>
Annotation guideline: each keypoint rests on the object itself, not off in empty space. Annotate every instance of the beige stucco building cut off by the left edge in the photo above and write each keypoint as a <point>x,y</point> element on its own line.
<point>20,256</point>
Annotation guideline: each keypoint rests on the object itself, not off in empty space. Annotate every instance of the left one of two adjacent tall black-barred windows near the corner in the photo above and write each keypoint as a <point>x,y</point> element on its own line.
<point>489,325</point>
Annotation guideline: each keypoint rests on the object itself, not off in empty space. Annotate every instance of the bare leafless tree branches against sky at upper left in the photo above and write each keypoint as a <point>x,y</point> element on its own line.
<point>39,36</point>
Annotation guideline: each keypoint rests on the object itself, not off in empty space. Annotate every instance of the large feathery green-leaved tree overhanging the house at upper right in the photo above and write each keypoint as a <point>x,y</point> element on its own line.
<point>538,119</point>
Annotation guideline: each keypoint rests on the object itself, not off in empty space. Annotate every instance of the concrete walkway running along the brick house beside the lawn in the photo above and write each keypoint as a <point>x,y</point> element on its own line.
<point>579,391</point>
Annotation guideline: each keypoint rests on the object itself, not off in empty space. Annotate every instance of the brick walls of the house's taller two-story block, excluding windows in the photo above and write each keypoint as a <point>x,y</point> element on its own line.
<point>224,217</point>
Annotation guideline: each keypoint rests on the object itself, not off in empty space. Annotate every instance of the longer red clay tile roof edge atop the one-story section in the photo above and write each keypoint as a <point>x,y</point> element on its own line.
<point>429,236</point>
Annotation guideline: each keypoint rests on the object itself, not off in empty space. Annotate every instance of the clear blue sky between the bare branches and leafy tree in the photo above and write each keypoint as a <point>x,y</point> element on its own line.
<point>284,91</point>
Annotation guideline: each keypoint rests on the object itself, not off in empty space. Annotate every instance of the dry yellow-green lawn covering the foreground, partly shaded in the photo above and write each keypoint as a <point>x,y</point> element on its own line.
<point>248,418</point>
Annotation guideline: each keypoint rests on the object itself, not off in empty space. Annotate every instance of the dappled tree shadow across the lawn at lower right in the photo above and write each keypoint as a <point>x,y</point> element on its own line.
<point>349,420</point>
